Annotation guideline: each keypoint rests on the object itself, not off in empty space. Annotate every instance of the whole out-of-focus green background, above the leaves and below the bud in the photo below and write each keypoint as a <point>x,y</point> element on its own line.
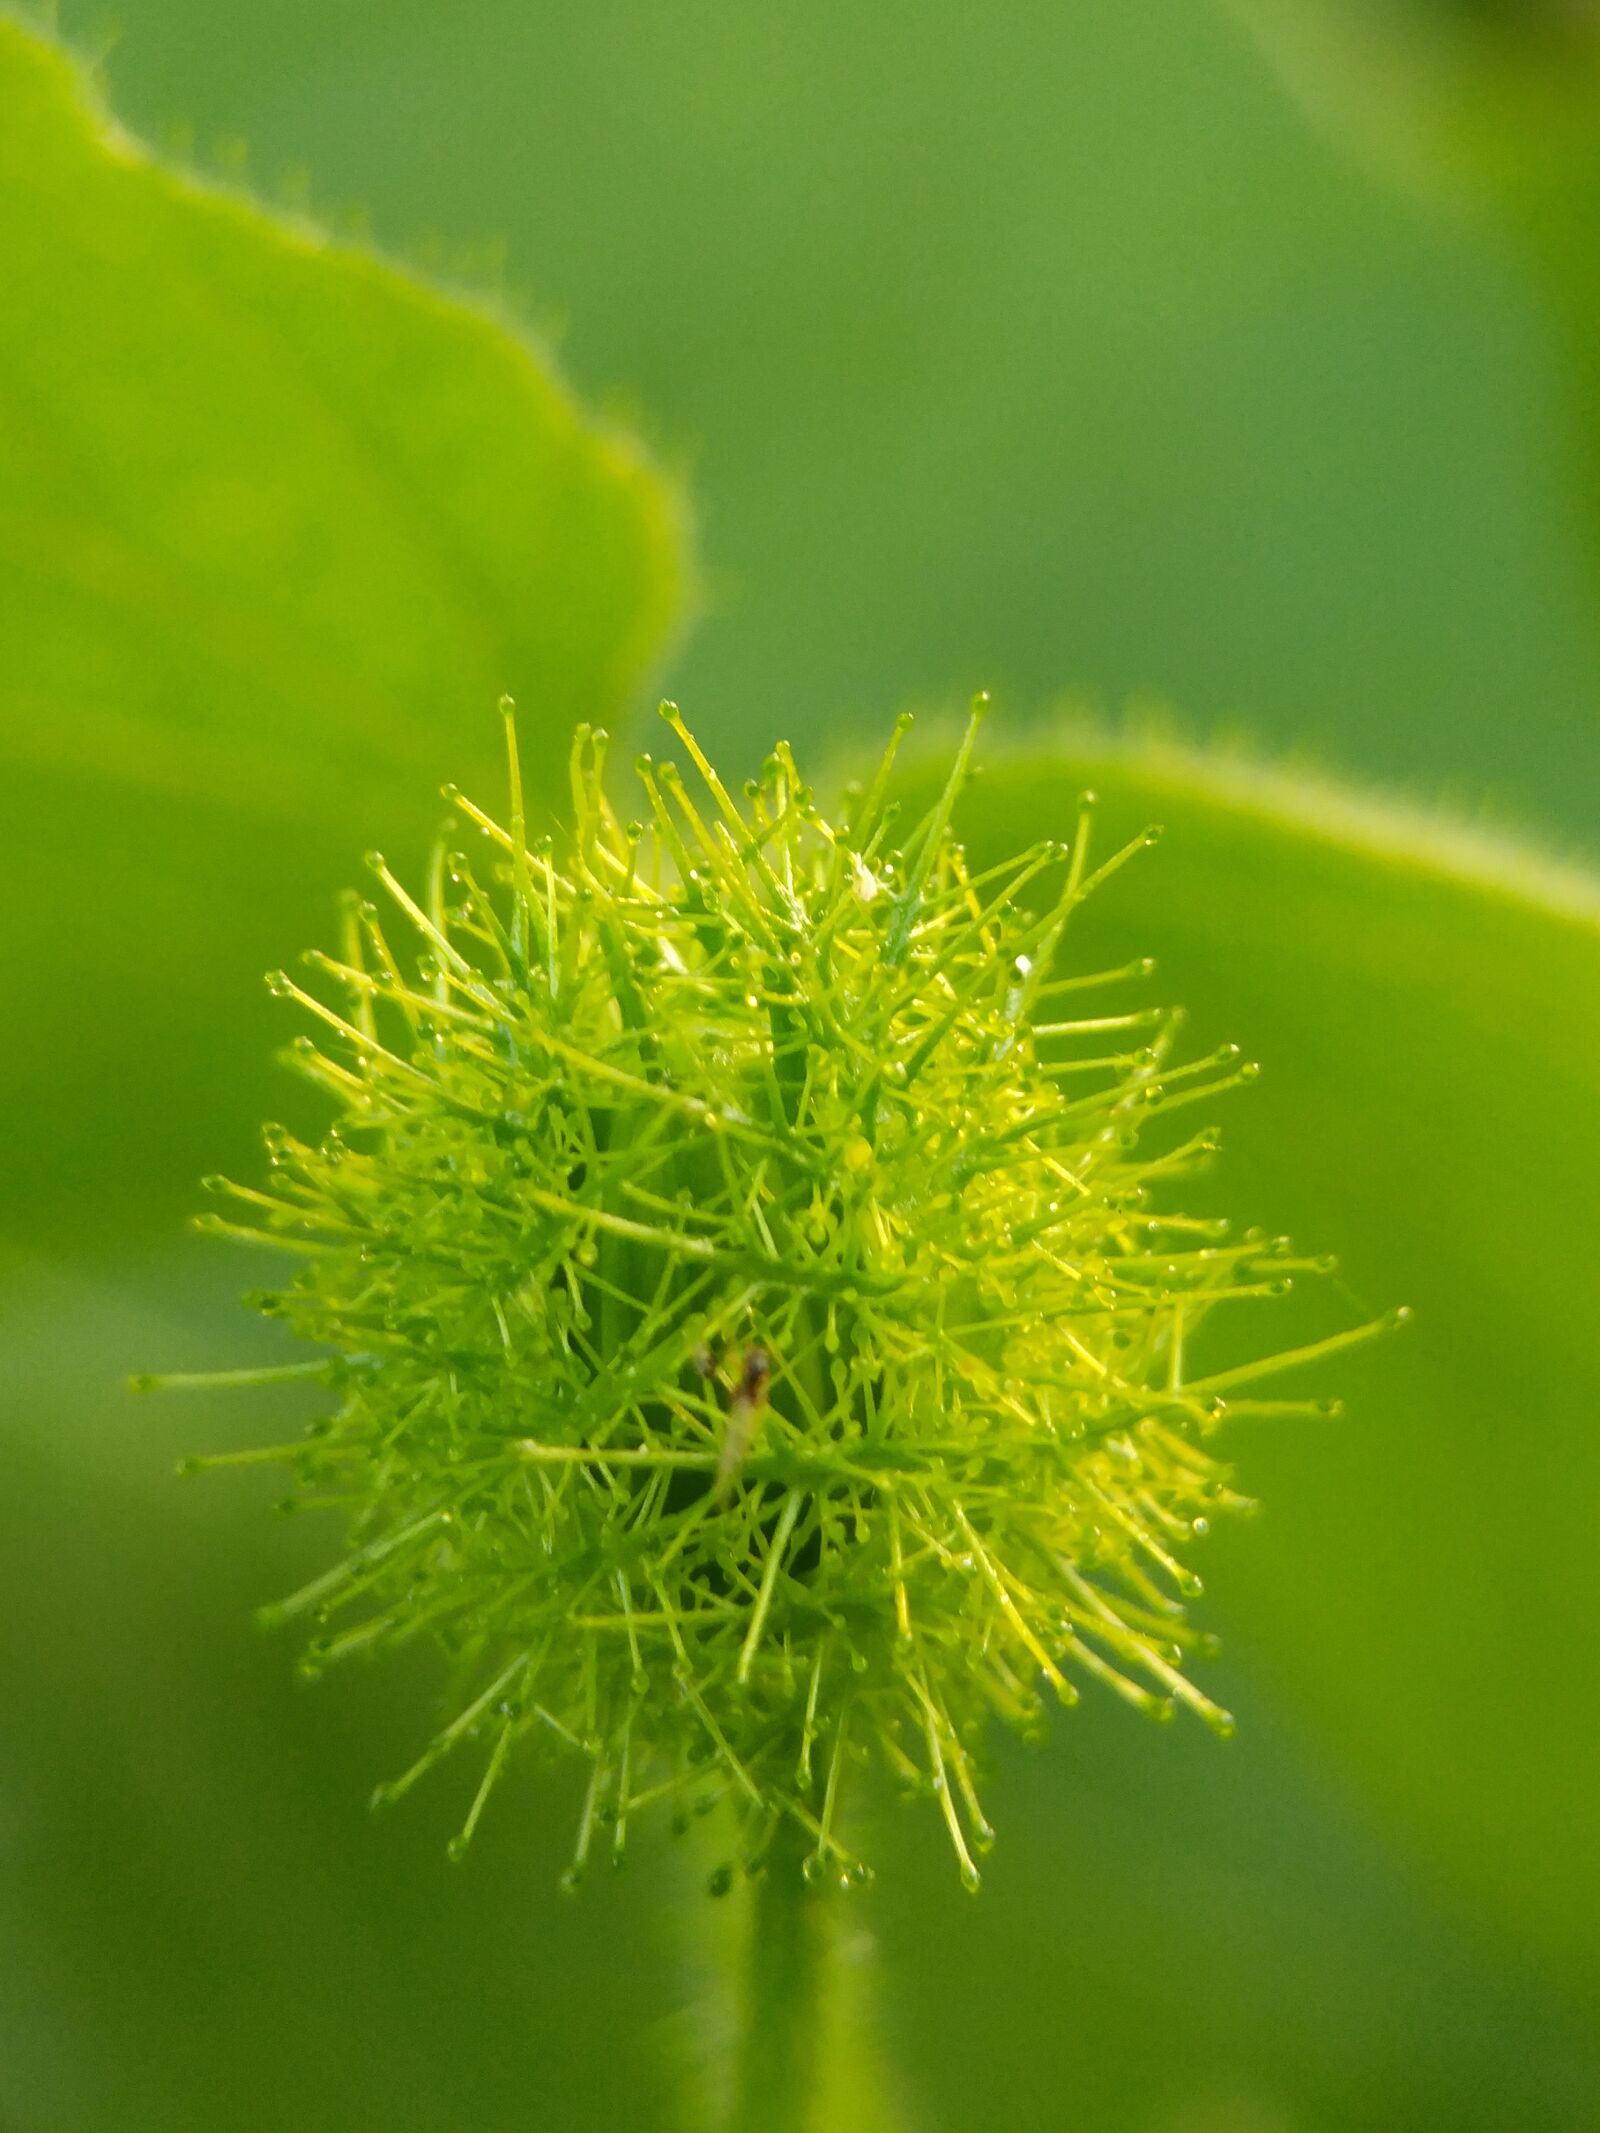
<point>1063,351</point>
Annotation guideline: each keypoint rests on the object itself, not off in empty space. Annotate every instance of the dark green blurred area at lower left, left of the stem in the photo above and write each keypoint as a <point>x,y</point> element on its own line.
<point>208,1927</point>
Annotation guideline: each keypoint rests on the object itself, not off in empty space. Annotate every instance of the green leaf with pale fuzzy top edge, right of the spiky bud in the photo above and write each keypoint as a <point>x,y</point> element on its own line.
<point>1428,1012</point>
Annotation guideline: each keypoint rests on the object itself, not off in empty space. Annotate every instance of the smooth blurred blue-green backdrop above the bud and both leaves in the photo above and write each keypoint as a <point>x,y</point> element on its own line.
<point>1051,351</point>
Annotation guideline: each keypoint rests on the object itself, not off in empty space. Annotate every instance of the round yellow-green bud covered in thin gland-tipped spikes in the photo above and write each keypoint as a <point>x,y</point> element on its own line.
<point>756,1336</point>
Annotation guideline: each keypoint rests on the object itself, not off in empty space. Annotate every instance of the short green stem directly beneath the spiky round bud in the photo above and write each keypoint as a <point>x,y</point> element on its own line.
<point>784,1983</point>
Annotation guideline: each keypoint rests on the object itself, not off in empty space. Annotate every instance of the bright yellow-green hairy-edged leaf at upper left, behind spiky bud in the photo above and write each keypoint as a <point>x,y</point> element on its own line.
<point>278,524</point>
